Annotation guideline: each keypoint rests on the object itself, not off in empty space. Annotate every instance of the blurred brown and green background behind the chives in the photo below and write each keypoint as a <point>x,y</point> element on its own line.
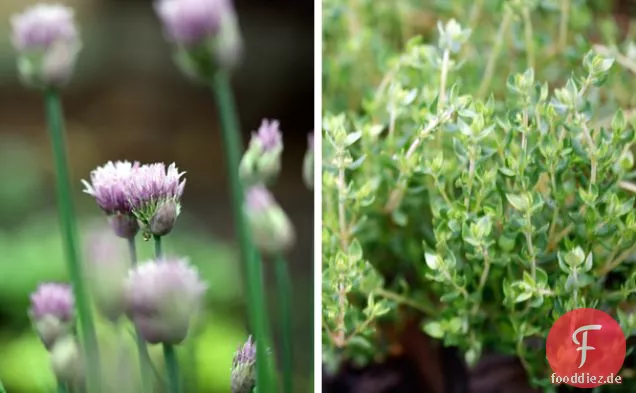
<point>128,101</point>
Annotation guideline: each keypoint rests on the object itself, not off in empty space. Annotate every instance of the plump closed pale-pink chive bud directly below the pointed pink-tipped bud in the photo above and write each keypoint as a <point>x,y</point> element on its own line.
<point>273,232</point>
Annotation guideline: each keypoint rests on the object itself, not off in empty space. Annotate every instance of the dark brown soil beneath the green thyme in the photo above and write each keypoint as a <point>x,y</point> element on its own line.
<point>424,366</point>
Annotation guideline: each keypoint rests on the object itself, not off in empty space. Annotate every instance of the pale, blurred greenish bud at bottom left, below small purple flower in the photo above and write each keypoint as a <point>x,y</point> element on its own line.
<point>66,361</point>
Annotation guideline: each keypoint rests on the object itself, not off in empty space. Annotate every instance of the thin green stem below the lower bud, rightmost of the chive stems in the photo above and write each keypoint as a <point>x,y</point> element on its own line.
<point>284,299</point>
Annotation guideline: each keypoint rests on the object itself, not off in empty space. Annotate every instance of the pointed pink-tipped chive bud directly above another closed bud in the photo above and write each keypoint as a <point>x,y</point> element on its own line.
<point>261,161</point>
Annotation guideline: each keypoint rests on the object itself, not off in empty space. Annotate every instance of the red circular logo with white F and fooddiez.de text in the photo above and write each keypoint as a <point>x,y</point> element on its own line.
<point>586,348</point>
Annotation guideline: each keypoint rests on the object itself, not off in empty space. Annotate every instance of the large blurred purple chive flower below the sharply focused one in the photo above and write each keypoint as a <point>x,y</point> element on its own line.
<point>162,296</point>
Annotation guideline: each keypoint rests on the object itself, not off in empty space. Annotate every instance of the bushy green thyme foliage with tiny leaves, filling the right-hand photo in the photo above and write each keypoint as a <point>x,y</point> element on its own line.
<point>488,205</point>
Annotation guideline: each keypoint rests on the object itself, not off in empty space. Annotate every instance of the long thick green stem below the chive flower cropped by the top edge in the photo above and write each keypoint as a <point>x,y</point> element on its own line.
<point>232,148</point>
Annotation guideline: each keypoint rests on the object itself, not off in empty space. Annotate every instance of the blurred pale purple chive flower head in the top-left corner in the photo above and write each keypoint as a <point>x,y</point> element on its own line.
<point>47,41</point>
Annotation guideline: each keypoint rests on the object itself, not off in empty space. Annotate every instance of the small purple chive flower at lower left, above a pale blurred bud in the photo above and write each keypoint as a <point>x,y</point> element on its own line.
<point>52,312</point>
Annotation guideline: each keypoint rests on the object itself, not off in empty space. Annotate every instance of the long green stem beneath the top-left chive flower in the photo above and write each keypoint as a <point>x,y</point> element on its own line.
<point>53,107</point>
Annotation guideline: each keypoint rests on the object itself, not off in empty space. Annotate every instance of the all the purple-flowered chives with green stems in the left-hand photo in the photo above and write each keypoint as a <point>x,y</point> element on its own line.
<point>161,296</point>
